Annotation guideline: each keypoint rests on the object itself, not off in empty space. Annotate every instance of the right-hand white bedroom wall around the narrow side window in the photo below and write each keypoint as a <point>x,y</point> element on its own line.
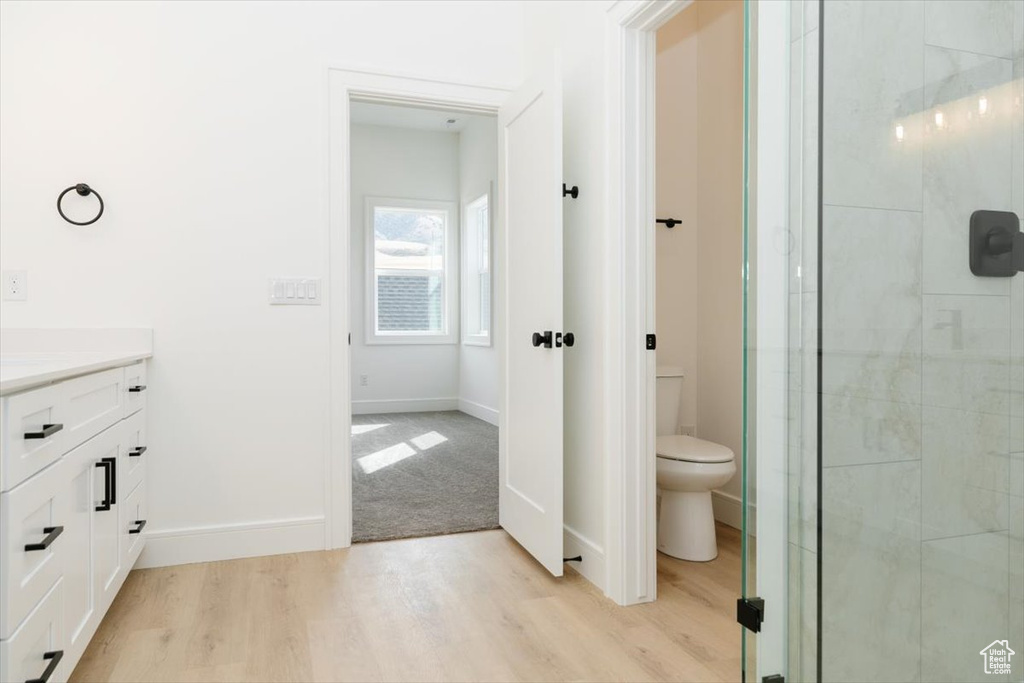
<point>479,369</point>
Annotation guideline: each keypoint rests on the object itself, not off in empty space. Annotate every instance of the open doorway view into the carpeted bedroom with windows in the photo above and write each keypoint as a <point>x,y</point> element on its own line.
<point>425,375</point>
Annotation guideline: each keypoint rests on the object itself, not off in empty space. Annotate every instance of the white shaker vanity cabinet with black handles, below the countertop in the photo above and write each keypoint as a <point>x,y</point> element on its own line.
<point>72,515</point>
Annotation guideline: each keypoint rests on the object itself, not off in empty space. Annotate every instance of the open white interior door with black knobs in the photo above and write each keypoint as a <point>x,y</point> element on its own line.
<point>531,431</point>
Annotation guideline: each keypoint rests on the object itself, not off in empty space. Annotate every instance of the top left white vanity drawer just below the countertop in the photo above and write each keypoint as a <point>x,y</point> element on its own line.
<point>33,434</point>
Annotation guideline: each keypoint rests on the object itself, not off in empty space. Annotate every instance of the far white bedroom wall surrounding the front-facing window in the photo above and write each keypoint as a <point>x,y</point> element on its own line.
<point>406,164</point>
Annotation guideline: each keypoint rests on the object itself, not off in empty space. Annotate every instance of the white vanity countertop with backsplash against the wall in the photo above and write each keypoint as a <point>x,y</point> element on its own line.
<point>33,358</point>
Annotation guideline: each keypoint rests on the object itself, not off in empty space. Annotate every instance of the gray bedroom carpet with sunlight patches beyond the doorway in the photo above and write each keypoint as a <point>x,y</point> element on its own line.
<point>422,475</point>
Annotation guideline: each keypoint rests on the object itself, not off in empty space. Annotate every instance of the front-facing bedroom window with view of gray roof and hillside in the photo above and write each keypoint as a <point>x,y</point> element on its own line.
<point>412,279</point>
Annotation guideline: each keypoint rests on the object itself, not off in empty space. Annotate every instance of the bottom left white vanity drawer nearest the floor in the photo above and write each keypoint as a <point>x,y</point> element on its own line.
<point>36,650</point>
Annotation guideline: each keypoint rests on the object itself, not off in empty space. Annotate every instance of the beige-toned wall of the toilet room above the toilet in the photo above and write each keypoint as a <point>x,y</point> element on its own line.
<point>700,178</point>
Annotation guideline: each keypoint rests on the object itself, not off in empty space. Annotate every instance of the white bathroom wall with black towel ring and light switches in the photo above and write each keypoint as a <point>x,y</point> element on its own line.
<point>204,125</point>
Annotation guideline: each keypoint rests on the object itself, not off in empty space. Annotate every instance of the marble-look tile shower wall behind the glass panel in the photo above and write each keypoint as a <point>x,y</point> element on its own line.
<point>923,381</point>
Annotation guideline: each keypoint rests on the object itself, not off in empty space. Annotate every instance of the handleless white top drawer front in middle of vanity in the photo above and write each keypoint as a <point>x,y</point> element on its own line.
<point>94,404</point>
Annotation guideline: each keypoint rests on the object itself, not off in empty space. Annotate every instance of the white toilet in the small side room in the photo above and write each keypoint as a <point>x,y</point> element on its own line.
<point>689,469</point>
